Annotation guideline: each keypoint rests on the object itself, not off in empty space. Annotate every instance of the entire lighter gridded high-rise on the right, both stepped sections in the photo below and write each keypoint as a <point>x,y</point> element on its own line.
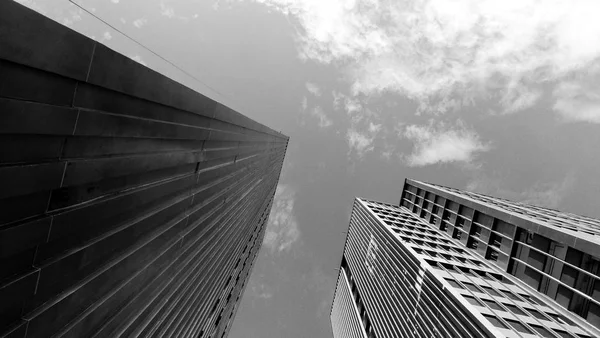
<point>412,270</point>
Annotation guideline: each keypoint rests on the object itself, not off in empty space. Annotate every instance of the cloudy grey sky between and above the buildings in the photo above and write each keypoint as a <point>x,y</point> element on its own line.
<point>496,97</point>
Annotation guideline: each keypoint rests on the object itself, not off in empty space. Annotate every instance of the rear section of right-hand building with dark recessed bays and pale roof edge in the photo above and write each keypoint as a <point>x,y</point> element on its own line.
<point>555,253</point>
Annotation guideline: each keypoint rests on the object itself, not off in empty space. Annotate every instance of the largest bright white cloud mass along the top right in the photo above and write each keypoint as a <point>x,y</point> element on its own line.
<point>435,50</point>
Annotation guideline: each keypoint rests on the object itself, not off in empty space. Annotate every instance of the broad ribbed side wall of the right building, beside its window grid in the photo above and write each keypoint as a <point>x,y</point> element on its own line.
<point>401,298</point>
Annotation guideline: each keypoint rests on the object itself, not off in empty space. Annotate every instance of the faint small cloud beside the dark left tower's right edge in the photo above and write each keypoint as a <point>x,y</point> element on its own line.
<point>282,229</point>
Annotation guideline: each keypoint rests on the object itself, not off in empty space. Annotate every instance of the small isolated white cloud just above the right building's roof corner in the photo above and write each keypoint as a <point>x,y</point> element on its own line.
<point>440,144</point>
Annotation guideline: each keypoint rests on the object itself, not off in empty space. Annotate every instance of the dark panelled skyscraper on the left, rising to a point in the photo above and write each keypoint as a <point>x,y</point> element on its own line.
<point>130,205</point>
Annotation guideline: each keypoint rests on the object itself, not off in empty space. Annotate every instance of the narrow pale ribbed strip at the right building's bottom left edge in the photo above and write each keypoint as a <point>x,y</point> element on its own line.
<point>344,316</point>
